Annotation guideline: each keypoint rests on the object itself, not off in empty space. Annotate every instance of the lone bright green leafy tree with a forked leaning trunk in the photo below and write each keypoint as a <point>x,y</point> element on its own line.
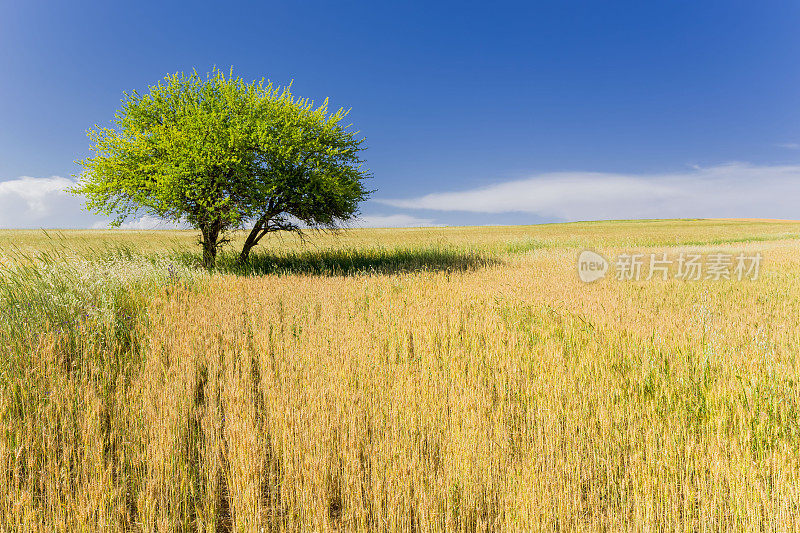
<point>220,153</point>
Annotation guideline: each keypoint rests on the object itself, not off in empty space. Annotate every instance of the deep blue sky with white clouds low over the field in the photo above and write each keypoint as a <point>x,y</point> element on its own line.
<point>474,113</point>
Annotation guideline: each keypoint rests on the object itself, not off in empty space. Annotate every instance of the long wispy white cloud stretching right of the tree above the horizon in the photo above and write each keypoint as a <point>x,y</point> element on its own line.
<point>731,190</point>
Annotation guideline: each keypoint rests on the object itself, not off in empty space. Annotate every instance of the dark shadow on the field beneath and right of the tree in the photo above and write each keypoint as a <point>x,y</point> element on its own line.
<point>355,262</point>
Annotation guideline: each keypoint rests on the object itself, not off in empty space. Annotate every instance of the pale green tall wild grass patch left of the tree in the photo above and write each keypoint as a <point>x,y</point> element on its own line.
<point>78,295</point>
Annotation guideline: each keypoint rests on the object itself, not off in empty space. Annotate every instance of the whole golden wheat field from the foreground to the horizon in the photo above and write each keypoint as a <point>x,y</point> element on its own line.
<point>438,379</point>
